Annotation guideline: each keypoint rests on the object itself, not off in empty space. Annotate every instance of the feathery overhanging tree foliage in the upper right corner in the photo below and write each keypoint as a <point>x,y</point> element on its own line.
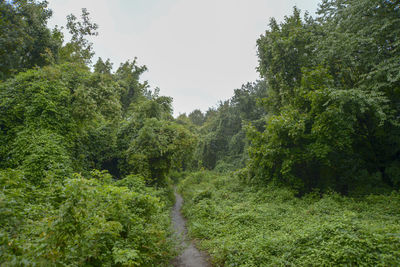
<point>360,41</point>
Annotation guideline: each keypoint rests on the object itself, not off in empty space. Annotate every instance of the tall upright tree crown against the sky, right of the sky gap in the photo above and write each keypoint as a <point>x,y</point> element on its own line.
<point>283,51</point>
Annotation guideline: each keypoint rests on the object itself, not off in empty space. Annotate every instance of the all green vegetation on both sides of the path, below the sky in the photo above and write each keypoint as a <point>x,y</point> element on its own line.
<point>306,160</point>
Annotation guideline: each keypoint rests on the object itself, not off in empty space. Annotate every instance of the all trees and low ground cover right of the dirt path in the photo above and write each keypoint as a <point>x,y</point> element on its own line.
<point>307,160</point>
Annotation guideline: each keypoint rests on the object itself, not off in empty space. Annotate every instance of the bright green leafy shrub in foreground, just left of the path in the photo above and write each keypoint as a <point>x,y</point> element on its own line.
<point>91,229</point>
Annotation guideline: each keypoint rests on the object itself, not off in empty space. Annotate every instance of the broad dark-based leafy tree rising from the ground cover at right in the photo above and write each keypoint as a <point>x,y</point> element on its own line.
<point>320,141</point>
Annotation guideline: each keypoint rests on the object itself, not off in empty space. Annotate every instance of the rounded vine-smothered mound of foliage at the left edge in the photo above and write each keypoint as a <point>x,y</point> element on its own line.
<point>67,104</point>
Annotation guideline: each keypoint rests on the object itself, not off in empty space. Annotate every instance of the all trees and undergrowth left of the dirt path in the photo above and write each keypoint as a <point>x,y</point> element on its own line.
<point>85,152</point>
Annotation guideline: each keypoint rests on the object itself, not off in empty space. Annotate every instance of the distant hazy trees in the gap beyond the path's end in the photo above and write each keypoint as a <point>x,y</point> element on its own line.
<point>222,143</point>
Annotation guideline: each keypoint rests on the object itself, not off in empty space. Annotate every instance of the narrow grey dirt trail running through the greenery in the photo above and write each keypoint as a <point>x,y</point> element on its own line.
<point>191,256</point>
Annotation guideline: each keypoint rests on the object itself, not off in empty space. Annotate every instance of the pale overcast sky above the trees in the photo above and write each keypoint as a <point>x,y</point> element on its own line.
<point>197,51</point>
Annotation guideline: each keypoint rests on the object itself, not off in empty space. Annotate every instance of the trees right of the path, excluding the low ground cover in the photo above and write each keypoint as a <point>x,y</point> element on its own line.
<point>325,114</point>
